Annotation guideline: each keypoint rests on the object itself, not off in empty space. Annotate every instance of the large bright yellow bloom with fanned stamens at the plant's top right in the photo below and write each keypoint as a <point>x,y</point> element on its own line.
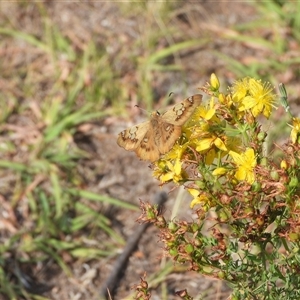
<point>255,96</point>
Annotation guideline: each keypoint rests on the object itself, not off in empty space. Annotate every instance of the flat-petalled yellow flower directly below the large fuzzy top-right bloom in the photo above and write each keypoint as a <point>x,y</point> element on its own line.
<point>246,162</point>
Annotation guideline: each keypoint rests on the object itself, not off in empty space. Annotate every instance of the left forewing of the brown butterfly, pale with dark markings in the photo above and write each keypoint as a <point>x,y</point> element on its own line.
<point>131,138</point>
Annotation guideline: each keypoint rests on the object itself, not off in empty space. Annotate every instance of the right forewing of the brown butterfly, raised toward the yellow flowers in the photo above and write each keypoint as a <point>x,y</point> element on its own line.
<point>182,111</point>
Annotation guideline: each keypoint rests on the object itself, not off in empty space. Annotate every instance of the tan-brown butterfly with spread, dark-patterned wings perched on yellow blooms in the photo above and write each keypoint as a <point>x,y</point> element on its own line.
<point>157,136</point>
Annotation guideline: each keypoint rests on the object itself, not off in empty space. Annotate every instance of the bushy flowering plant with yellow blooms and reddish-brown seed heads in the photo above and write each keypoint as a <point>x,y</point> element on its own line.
<point>246,226</point>
